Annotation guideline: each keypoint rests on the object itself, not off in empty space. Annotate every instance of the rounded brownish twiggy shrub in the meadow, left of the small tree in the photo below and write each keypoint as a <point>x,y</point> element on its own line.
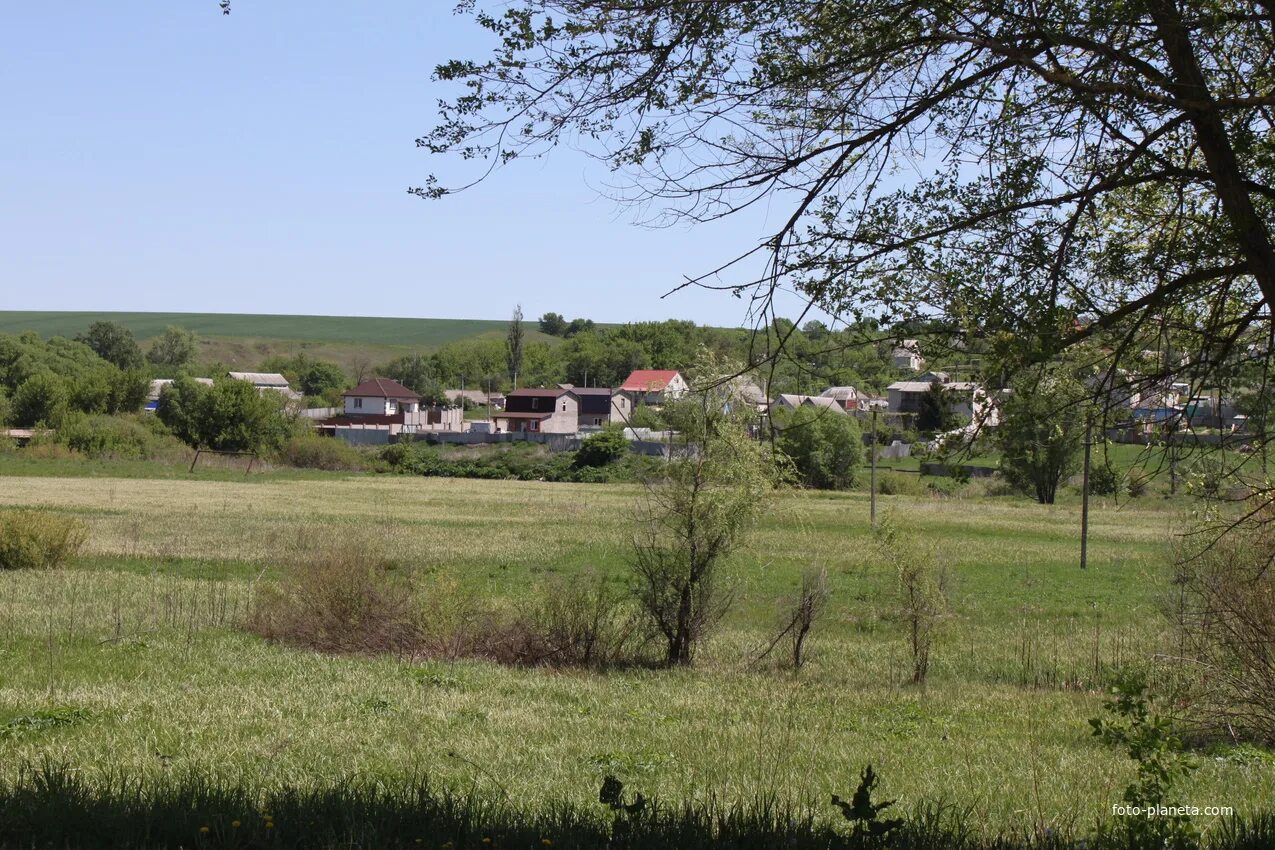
<point>341,600</point>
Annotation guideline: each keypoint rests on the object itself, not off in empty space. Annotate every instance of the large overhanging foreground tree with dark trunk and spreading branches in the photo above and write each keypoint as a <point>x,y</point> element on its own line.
<point>1038,173</point>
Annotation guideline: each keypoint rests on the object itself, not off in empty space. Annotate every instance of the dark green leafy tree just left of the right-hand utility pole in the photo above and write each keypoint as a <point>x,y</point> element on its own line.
<point>1041,434</point>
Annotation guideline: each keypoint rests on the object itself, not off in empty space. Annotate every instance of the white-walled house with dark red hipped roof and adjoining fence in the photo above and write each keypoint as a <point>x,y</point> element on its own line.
<point>387,407</point>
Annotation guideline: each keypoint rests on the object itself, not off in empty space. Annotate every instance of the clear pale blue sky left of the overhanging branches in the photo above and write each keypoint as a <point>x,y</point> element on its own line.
<point>164,157</point>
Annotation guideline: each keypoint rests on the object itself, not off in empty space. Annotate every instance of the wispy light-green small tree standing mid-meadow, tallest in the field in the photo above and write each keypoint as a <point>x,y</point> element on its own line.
<point>696,514</point>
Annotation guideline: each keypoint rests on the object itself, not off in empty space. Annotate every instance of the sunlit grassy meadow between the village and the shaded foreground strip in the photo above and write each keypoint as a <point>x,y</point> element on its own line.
<point>138,649</point>
